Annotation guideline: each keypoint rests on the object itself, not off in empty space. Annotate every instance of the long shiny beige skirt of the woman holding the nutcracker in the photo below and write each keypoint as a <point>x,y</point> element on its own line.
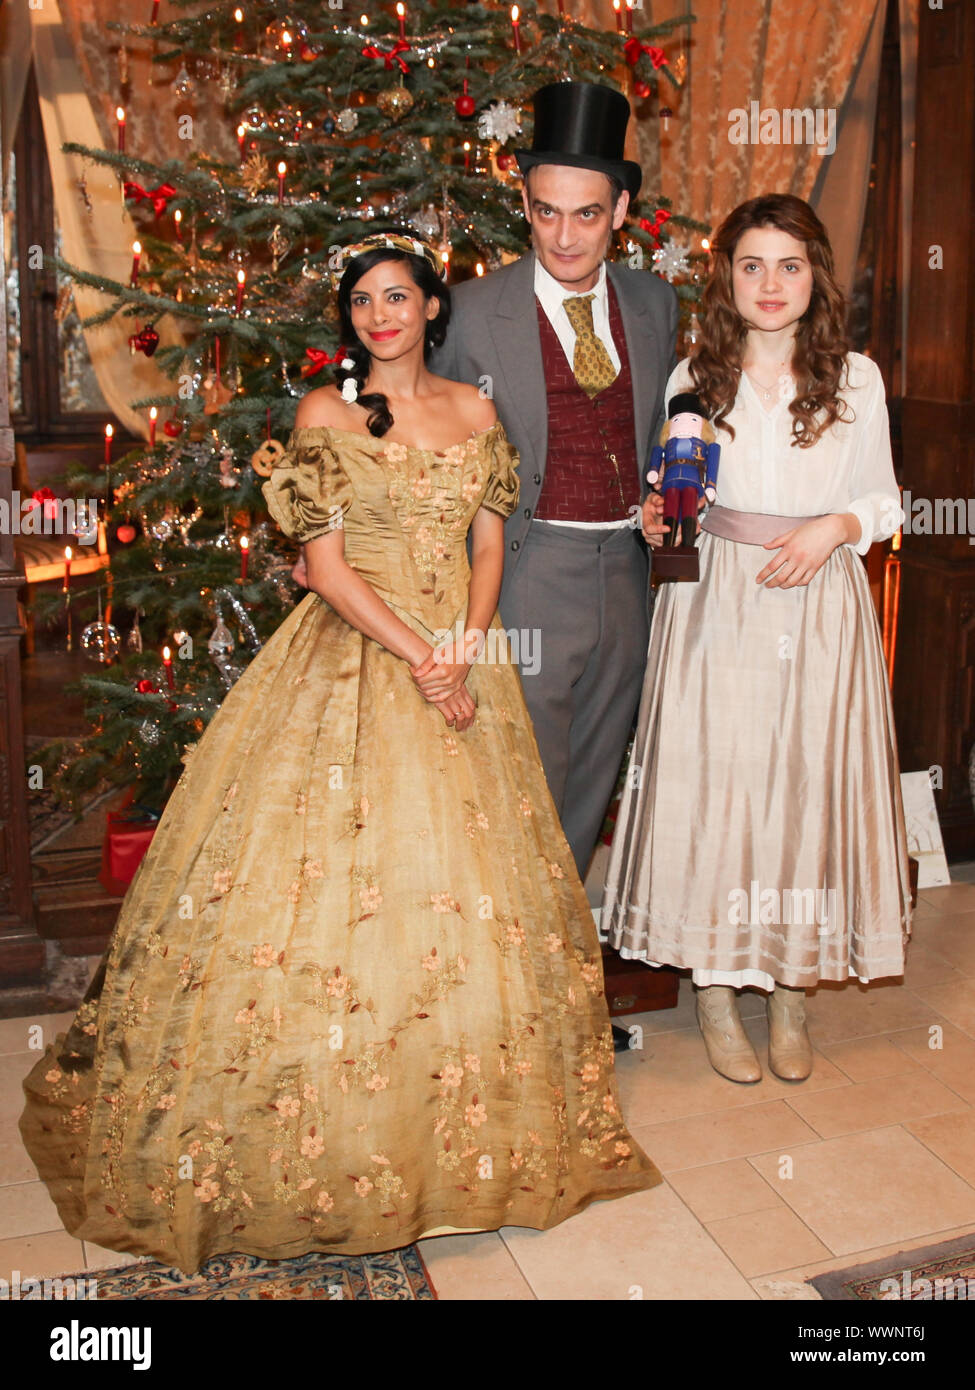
<point>762,828</point>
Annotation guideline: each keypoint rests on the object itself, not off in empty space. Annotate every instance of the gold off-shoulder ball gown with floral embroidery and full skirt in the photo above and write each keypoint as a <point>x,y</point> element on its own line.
<point>355,992</point>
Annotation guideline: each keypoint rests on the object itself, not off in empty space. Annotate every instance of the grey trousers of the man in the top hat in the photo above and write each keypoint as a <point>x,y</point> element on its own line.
<point>585,598</point>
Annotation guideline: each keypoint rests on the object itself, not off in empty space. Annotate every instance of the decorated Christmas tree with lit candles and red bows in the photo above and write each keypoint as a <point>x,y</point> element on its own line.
<point>337,126</point>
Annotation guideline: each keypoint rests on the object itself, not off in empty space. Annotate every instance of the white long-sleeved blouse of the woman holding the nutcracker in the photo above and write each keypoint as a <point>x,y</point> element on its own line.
<point>849,469</point>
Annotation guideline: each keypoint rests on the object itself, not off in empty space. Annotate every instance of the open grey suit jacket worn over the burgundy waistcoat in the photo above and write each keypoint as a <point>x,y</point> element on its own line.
<point>493,341</point>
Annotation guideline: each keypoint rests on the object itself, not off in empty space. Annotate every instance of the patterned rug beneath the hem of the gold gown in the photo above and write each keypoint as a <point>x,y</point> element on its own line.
<point>394,1277</point>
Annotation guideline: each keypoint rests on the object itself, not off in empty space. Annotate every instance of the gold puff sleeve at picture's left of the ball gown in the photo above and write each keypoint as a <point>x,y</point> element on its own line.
<point>308,493</point>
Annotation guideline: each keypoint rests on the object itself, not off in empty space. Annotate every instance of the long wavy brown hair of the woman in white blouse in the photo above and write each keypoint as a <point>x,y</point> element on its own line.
<point>821,340</point>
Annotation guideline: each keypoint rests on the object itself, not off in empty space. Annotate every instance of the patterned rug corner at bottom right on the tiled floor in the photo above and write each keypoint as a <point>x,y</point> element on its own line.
<point>931,1275</point>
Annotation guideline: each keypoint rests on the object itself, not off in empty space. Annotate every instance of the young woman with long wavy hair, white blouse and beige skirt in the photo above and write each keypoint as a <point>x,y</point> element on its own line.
<point>762,836</point>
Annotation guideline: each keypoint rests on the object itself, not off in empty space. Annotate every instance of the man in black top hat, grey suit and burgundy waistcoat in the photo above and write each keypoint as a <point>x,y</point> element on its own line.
<point>577,354</point>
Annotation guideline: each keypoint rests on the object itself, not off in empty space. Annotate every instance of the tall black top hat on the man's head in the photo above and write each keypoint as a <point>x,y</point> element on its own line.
<point>585,126</point>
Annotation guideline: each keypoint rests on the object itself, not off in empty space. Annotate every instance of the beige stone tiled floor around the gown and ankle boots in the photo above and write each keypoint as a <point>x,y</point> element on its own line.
<point>764,1185</point>
